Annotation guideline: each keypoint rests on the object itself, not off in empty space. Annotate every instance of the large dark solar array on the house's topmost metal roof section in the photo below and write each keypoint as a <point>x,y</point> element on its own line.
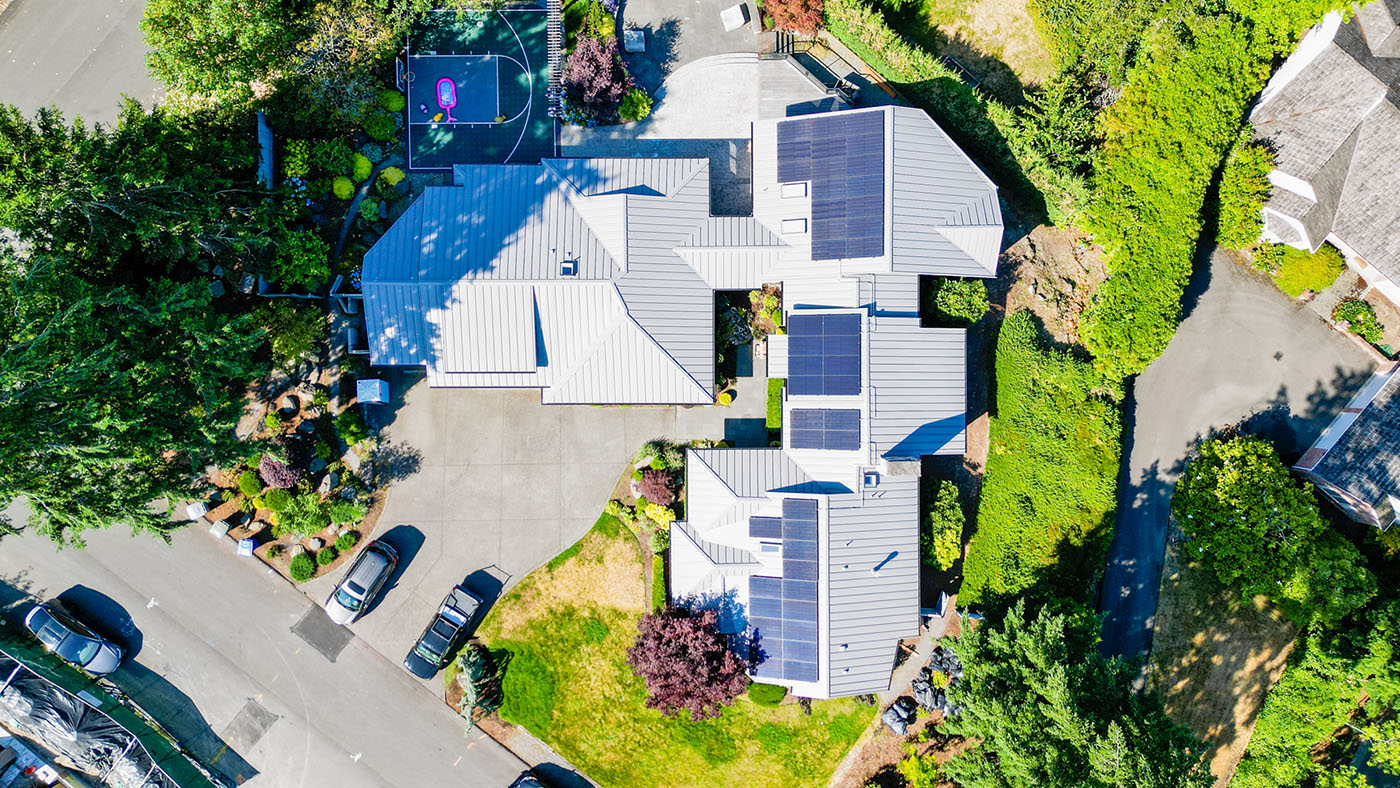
<point>843,156</point>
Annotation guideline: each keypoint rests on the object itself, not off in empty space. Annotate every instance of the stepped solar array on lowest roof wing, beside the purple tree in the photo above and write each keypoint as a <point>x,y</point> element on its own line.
<point>783,610</point>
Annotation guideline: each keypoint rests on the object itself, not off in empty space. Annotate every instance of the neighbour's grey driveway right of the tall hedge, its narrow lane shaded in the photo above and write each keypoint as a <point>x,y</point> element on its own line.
<point>1247,355</point>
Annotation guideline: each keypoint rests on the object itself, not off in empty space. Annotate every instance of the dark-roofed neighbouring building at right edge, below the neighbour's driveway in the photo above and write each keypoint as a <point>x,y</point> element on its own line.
<point>1357,460</point>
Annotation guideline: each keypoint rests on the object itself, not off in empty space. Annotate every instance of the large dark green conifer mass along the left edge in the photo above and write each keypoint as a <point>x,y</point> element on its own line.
<point>121,379</point>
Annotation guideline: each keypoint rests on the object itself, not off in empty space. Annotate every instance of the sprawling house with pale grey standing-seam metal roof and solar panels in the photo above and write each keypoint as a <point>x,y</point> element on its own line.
<point>594,282</point>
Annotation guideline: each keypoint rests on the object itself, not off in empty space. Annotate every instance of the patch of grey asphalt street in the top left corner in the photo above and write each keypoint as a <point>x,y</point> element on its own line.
<point>76,55</point>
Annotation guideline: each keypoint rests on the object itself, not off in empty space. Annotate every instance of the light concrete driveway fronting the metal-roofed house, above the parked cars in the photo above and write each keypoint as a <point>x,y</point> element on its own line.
<point>492,485</point>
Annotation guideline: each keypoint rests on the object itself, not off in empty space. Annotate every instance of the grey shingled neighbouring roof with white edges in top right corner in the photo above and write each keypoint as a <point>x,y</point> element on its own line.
<point>1332,117</point>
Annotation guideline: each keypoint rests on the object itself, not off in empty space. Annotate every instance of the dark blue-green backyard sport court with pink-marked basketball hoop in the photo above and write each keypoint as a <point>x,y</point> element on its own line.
<point>478,89</point>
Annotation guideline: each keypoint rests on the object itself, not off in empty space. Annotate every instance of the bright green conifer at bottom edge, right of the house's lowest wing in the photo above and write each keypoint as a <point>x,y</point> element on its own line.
<point>1052,712</point>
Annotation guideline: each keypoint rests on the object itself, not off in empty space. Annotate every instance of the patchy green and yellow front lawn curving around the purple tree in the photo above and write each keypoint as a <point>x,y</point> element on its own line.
<point>568,628</point>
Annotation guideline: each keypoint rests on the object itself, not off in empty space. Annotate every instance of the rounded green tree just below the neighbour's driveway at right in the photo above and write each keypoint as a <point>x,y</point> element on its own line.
<point>1261,531</point>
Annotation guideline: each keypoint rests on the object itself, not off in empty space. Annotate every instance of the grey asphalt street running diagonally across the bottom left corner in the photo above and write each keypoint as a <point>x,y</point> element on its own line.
<point>218,661</point>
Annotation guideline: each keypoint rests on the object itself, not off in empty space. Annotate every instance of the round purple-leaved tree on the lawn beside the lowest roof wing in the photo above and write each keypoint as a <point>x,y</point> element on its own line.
<point>687,664</point>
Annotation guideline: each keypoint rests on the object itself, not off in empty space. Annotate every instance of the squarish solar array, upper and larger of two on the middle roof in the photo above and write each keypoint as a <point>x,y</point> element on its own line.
<point>825,355</point>
